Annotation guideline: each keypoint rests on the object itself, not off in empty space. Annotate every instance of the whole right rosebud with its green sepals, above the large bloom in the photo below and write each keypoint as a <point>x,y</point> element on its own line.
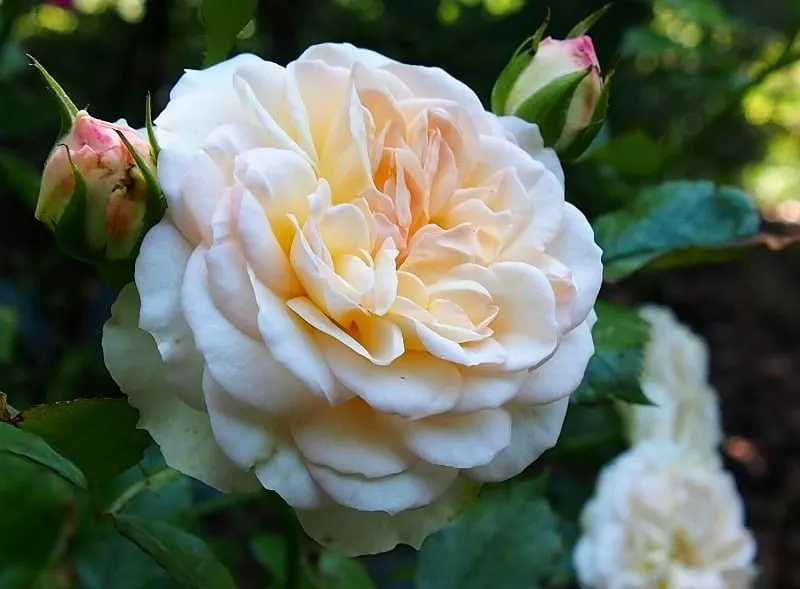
<point>557,85</point>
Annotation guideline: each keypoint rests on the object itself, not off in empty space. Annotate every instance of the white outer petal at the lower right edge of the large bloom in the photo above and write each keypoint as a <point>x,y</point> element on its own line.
<point>533,430</point>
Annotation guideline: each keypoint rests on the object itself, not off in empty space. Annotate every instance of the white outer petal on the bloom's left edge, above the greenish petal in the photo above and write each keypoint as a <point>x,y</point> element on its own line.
<point>159,276</point>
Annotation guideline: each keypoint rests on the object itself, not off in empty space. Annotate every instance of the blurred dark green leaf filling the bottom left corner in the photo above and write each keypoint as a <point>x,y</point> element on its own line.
<point>35,506</point>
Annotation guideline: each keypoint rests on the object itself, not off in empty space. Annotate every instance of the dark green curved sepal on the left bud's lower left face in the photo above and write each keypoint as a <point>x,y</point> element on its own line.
<point>70,229</point>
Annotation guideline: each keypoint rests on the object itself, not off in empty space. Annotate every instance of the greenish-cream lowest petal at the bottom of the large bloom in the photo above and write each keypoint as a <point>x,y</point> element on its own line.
<point>353,533</point>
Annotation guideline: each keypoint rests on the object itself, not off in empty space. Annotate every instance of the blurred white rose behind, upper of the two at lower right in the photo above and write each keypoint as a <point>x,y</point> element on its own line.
<point>675,378</point>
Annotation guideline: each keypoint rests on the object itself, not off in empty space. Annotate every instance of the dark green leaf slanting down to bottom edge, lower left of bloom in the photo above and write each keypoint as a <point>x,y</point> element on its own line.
<point>186,558</point>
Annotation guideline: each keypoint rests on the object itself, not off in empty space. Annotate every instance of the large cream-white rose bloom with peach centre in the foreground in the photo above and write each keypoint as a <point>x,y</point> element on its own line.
<point>365,295</point>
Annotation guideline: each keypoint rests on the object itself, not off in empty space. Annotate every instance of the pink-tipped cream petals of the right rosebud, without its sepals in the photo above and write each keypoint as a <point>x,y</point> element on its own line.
<point>552,60</point>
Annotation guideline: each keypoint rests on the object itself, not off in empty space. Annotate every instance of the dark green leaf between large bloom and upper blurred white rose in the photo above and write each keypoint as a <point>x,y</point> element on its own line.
<point>613,372</point>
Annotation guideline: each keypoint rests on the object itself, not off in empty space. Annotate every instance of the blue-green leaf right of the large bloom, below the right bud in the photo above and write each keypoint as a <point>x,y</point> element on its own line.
<point>671,216</point>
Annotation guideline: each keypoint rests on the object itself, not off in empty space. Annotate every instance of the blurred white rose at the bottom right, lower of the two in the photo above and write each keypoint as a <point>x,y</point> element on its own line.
<point>661,518</point>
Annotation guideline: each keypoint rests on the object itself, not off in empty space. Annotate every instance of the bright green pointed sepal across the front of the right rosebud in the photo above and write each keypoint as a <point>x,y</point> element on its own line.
<point>548,106</point>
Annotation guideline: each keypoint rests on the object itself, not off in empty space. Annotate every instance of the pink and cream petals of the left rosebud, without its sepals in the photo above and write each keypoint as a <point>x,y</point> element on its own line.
<point>116,190</point>
